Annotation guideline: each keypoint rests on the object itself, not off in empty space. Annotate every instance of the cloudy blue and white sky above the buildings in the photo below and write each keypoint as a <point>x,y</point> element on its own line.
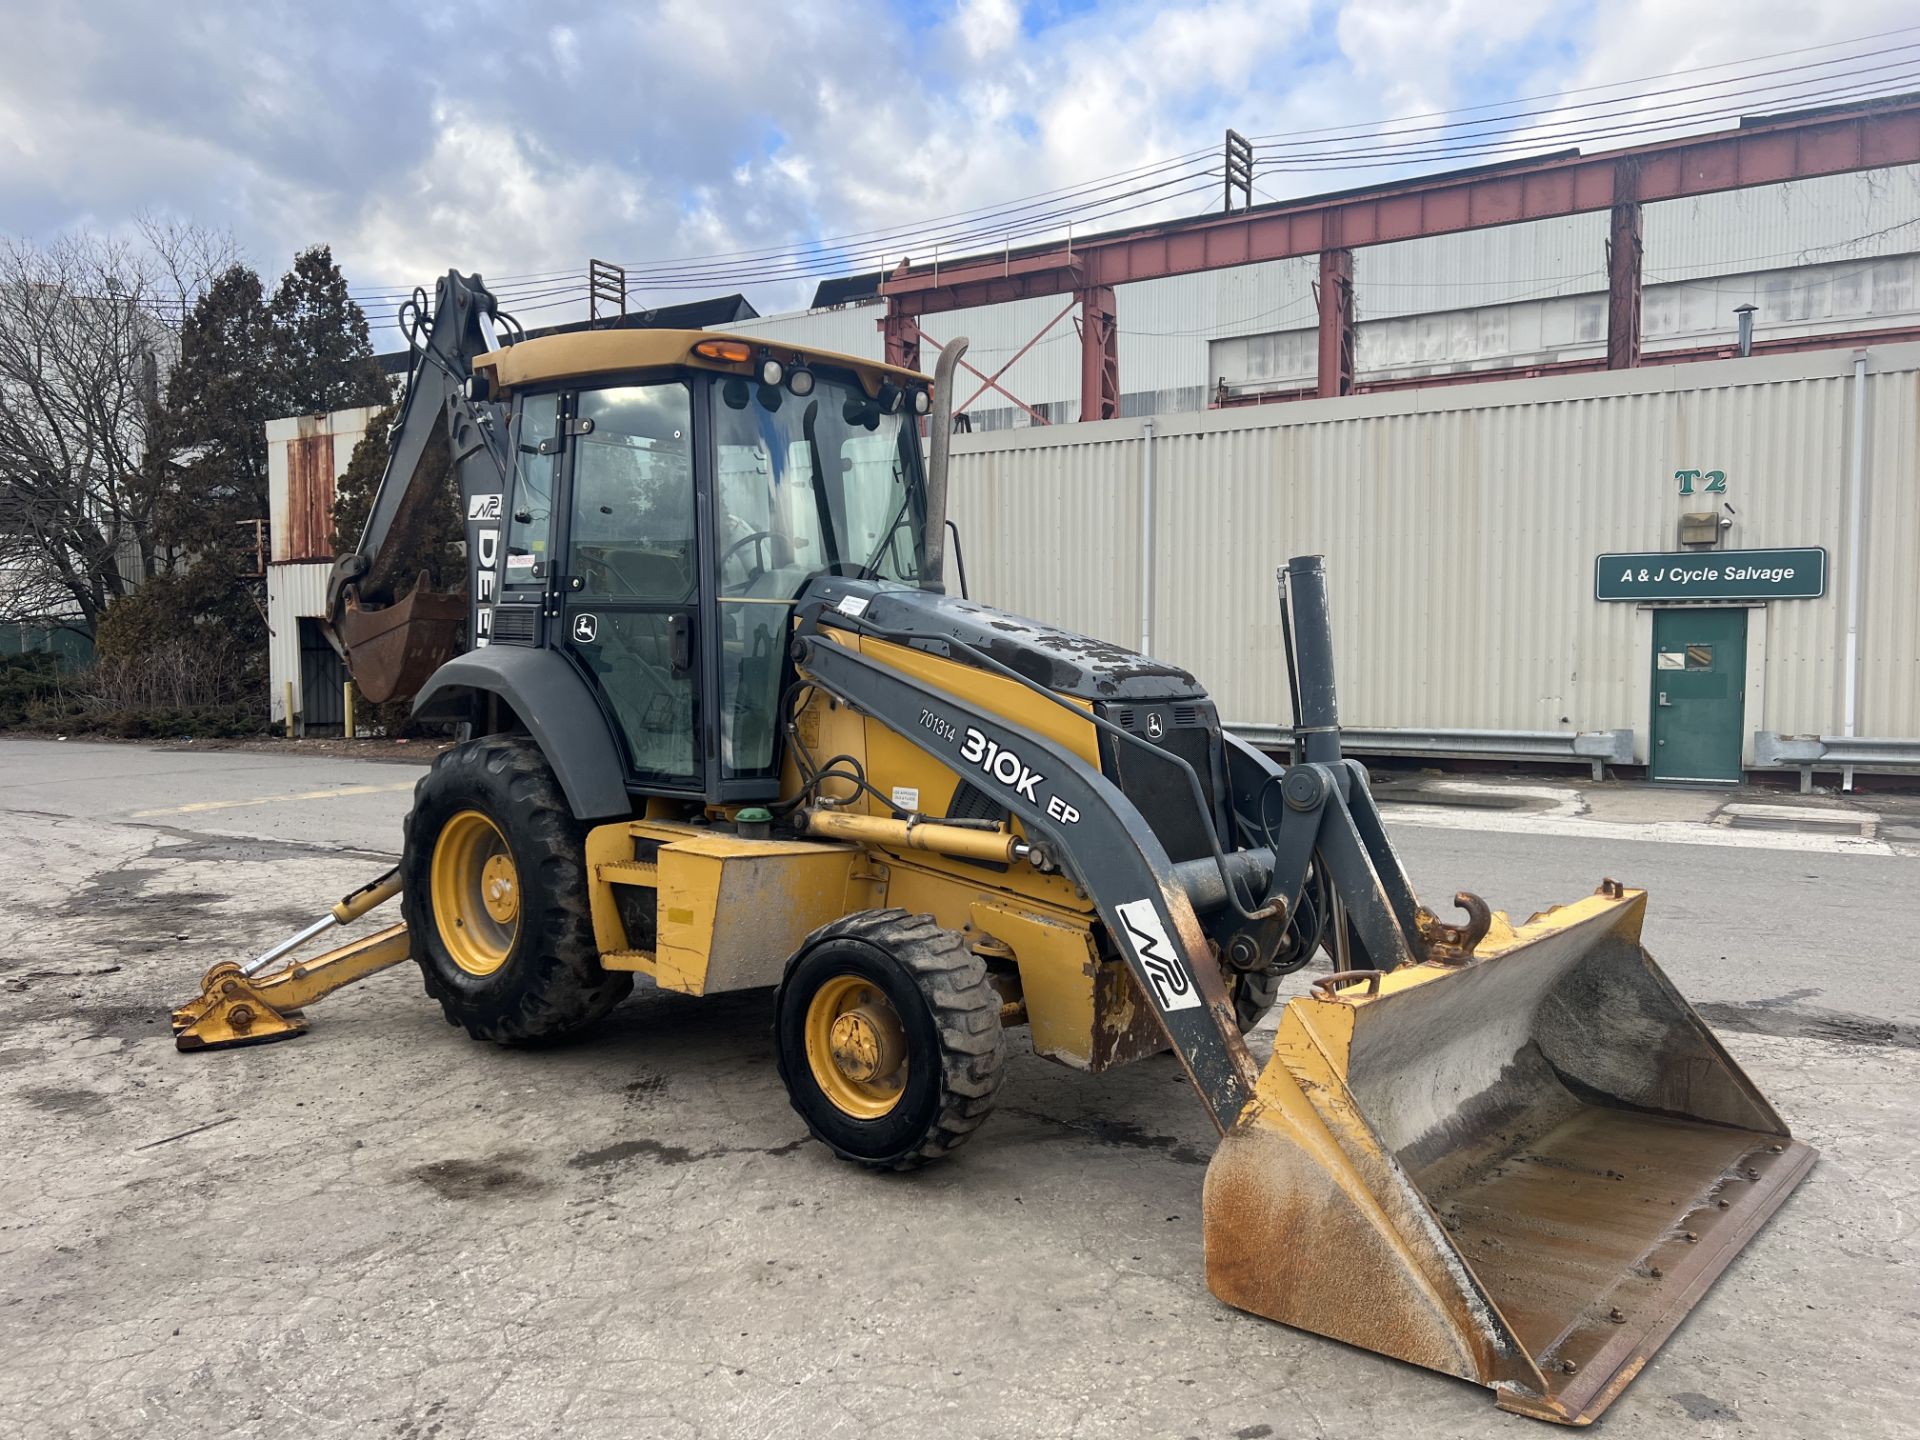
<point>519,139</point>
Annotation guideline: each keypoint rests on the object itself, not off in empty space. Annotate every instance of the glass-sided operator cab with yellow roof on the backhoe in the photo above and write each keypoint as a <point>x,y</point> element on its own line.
<point>667,506</point>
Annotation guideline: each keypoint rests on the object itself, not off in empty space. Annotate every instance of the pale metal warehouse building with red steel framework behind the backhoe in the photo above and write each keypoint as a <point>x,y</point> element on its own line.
<point>1593,554</point>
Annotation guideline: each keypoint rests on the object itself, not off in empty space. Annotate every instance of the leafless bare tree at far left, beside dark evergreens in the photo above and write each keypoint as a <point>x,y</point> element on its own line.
<point>85,335</point>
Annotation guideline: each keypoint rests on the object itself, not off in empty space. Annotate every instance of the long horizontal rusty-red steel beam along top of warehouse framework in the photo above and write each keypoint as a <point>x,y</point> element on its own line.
<point>1760,153</point>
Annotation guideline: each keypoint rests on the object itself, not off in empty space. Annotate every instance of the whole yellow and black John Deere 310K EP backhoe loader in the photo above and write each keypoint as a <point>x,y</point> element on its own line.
<point>725,727</point>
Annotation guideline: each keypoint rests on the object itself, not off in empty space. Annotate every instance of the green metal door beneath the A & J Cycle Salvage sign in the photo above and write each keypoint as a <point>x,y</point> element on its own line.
<point>1700,679</point>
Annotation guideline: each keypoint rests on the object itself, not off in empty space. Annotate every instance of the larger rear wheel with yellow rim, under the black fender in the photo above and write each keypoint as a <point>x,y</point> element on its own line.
<point>496,898</point>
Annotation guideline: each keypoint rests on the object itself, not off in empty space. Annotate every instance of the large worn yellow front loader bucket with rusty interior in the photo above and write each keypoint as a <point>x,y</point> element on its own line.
<point>1522,1170</point>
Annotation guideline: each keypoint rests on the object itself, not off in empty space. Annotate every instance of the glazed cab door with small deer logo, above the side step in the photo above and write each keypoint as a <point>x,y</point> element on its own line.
<point>631,594</point>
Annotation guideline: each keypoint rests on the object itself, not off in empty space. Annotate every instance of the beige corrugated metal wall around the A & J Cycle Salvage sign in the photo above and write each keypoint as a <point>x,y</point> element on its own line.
<point>1462,531</point>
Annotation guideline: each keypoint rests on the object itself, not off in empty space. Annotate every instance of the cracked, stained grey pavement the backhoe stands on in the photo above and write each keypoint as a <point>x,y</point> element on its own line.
<point>389,1230</point>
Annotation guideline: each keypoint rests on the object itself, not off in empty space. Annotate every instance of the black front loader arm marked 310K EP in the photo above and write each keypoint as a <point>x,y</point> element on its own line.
<point>1093,832</point>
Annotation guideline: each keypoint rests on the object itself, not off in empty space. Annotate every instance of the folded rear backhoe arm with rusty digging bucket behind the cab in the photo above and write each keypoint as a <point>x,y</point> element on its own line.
<point>391,646</point>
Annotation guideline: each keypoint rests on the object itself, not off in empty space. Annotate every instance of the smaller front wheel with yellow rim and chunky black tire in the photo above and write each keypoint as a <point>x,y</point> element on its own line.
<point>888,1040</point>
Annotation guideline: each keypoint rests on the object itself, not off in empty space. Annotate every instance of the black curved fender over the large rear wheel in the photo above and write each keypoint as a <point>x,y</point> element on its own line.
<point>558,709</point>
